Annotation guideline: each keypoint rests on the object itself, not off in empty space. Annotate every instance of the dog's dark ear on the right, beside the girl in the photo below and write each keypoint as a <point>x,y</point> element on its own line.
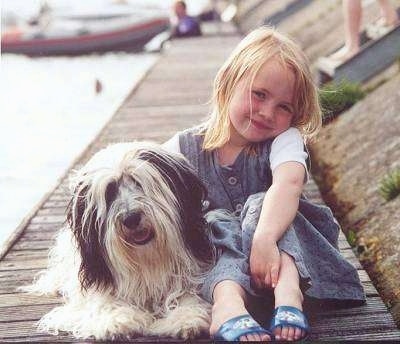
<point>190,193</point>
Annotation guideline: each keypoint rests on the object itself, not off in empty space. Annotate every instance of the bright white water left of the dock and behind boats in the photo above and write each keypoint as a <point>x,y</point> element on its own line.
<point>50,111</point>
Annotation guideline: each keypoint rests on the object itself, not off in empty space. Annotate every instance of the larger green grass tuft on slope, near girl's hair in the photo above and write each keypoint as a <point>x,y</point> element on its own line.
<point>338,97</point>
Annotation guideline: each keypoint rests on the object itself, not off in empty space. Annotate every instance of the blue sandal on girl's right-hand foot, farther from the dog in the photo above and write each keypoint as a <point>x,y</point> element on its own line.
<point>290,316</point>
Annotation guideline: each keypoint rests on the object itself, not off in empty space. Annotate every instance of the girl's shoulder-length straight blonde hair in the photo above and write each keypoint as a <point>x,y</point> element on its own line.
<point>245,61</point>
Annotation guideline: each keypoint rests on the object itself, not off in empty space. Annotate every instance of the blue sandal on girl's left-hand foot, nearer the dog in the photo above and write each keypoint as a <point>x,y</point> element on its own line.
<point>239,326</point>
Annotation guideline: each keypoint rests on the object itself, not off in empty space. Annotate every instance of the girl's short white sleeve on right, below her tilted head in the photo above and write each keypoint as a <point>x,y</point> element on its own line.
<point>288,146</point>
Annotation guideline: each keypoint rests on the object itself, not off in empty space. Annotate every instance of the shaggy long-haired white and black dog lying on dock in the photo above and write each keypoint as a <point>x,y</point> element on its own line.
<point>134,252</point>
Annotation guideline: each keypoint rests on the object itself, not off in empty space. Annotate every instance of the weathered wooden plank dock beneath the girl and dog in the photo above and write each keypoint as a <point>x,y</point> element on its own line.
<point>172,96</point>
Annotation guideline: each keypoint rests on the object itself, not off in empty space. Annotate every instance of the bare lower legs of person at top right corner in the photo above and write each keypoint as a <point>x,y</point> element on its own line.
<point>352,11</point>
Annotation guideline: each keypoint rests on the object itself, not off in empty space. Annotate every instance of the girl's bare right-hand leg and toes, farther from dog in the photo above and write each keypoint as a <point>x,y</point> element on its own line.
<point>287,293</point>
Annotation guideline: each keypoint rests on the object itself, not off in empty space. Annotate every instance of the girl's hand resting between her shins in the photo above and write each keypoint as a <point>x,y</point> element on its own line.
<point>265,261</point>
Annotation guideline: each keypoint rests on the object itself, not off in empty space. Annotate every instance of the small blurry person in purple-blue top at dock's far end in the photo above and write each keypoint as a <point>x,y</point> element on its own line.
<point>184,25</point>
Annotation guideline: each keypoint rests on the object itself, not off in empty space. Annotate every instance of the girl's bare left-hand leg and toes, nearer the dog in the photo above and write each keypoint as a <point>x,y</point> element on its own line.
<point>229,302</point>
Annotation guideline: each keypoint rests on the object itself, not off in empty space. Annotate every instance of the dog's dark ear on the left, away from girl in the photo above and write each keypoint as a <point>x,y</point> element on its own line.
<point>93,271</point>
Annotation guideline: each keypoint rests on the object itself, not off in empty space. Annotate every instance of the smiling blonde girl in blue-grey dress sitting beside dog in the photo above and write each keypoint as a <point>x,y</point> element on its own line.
<point>250,155</point>
